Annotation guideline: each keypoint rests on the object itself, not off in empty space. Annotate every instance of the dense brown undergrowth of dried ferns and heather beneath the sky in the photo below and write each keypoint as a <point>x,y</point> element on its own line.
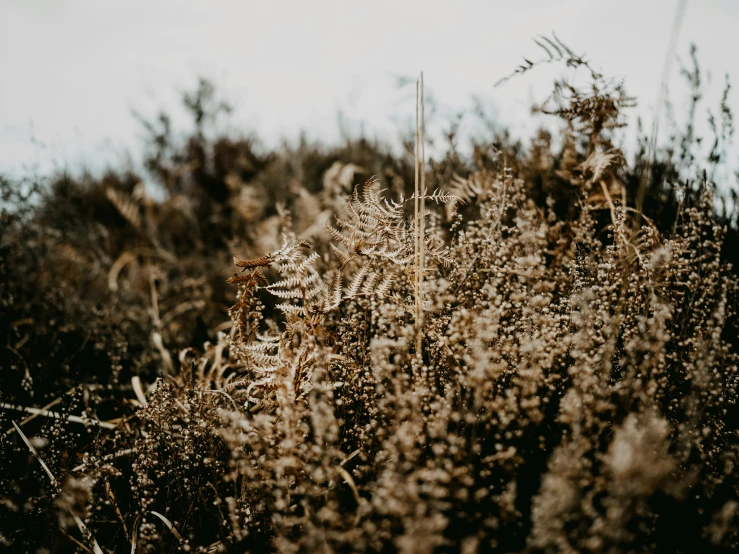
<point>574,390</point>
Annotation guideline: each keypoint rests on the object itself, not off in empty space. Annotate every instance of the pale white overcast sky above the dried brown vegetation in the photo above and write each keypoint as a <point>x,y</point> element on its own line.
<point>72,71</point>
